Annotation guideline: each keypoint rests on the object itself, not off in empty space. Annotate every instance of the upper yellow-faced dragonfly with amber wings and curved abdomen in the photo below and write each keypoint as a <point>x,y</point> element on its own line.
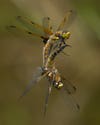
<point>53,40</point>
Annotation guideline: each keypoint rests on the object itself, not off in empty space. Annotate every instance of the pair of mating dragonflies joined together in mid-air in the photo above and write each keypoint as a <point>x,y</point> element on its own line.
<point>54,43</point>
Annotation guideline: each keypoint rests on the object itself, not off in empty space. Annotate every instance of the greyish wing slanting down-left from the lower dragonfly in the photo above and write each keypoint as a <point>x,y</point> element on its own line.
<point>37,76</point>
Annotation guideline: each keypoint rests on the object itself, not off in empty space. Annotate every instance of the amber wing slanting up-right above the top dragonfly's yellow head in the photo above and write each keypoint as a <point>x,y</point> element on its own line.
<point>67,20</point>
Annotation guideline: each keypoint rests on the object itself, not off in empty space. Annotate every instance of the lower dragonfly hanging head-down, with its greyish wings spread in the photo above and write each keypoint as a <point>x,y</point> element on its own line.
<point>55,80</point>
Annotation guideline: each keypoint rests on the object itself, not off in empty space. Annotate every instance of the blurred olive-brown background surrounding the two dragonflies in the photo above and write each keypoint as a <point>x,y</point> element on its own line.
<point>20,54</point>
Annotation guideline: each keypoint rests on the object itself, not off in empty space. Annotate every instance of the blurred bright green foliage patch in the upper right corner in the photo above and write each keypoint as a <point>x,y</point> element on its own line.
<point>90,13</point>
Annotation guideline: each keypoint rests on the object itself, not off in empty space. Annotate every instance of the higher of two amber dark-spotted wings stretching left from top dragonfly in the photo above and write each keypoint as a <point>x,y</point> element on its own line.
<point>33,24</point>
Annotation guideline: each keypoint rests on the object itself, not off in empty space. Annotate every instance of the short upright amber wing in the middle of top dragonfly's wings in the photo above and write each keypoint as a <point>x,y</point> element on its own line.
<point>46,25</point>
